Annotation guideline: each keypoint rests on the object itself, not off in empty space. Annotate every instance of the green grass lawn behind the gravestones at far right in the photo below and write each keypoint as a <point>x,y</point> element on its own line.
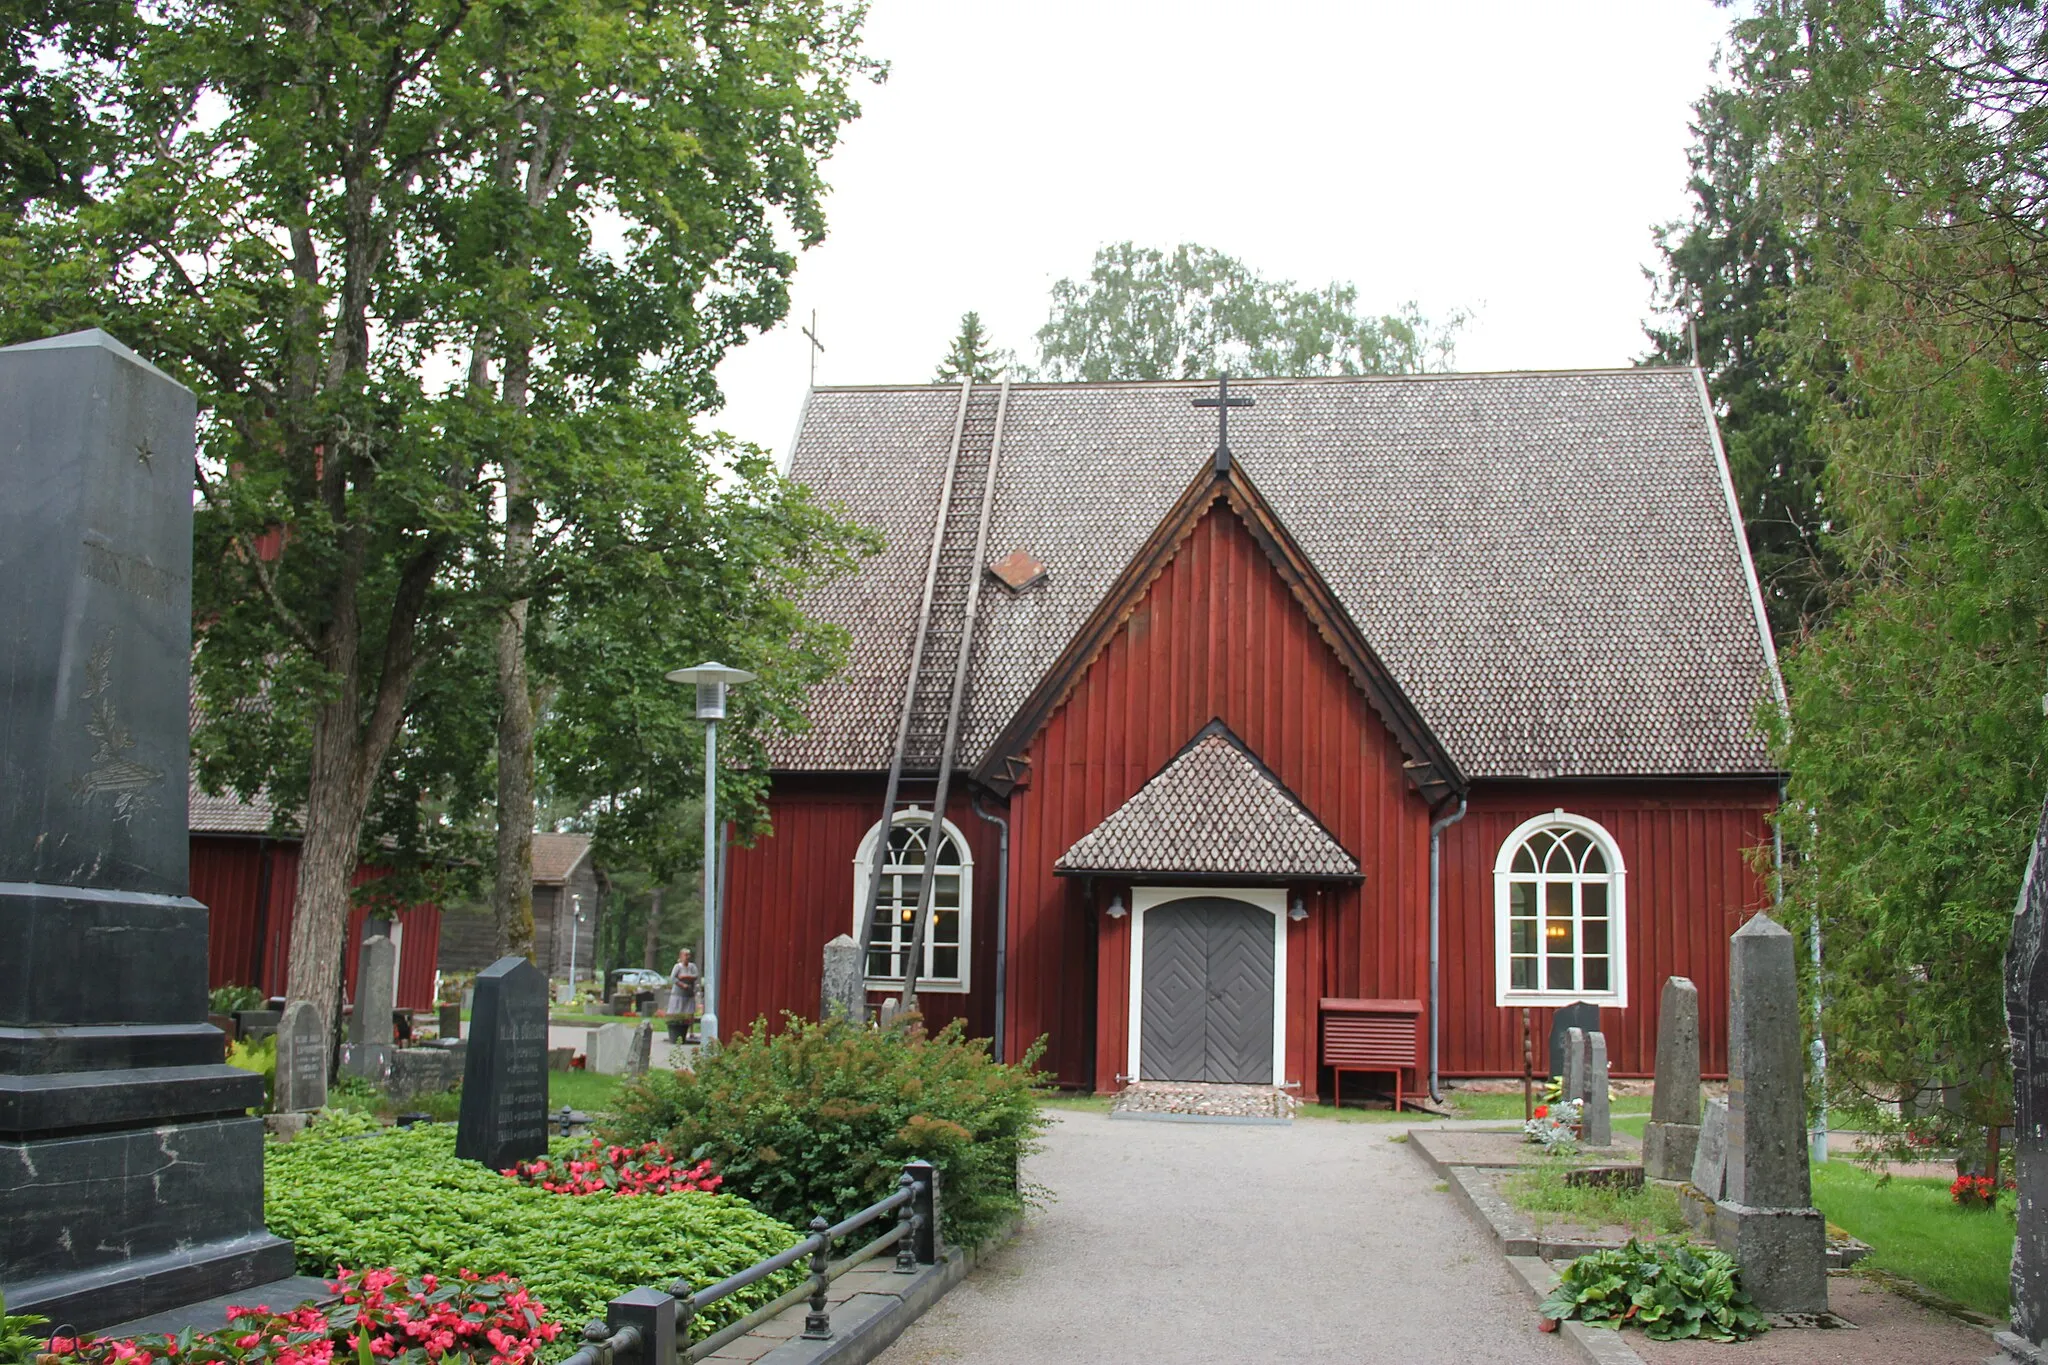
<point>1920,1233</point>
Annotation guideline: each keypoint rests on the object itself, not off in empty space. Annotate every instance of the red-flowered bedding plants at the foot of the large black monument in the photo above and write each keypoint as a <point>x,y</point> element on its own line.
<point>382,1317</point>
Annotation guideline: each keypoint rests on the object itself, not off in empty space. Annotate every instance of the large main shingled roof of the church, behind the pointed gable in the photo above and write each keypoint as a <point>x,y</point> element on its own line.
<point>1549,564</point>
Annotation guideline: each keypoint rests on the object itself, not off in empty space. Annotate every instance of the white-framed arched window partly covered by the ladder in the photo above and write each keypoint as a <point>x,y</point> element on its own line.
<point>949,934</point>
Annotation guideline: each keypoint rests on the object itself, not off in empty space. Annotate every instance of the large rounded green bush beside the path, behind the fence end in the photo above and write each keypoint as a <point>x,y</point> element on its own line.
<point>820,1118</point>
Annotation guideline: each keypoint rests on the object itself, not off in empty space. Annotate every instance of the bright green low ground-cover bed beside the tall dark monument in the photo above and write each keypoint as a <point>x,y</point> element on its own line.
<point>402,1200</point>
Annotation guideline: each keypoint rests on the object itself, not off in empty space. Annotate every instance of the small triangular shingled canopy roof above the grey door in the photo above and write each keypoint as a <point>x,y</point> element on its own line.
<point>1213,811</point>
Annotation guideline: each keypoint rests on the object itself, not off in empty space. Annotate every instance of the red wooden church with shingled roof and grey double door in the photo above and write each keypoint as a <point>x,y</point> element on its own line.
<point>1424,689</point>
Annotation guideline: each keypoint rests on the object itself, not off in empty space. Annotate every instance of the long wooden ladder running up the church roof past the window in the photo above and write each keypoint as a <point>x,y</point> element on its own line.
<point>935,689</point>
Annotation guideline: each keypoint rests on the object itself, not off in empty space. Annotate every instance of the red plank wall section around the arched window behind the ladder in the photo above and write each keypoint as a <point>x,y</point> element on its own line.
<point>794,891</point>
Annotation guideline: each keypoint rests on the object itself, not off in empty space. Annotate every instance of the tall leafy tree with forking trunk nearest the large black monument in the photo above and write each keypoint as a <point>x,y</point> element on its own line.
<point>304,212</point>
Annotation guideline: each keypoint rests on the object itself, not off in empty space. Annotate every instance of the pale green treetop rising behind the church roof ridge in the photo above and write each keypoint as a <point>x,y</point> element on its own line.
<point>1193,314</point>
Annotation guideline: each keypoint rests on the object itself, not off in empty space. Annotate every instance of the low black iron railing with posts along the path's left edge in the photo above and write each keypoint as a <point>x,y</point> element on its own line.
<point>652,1327</point>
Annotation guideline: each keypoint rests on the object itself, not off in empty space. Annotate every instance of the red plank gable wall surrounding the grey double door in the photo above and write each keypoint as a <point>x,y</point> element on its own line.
<point>1218,635</point>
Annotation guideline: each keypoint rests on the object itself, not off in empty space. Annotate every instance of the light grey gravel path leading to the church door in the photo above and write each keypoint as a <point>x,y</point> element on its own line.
<point>1177,1243</point>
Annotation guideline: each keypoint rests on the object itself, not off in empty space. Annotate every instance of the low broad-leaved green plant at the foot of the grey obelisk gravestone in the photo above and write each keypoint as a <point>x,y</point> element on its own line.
<point>1674,1292</point>
